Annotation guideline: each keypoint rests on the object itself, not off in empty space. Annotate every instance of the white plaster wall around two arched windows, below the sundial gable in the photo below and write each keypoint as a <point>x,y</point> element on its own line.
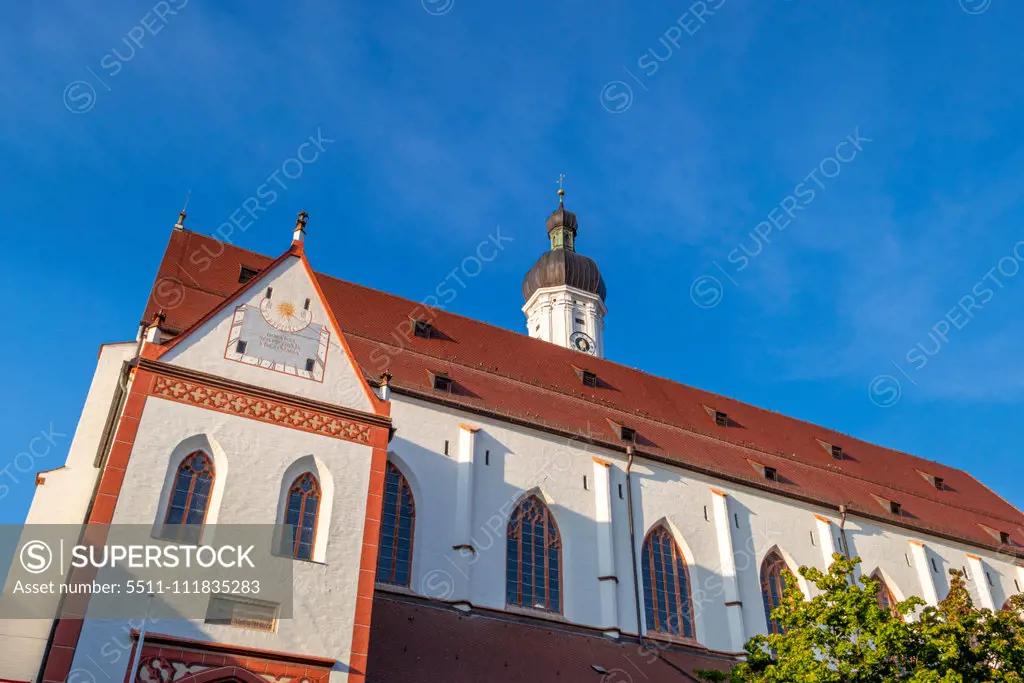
<point>259,457</point>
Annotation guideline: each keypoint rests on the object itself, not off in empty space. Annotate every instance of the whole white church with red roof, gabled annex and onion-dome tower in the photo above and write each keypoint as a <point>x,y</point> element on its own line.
<point>461,502</point>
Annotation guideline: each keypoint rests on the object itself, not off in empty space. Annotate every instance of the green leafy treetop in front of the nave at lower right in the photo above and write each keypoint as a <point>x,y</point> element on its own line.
<point>844,635</point>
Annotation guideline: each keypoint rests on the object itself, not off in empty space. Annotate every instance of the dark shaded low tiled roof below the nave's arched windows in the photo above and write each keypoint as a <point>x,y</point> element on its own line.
<point>416,642</point>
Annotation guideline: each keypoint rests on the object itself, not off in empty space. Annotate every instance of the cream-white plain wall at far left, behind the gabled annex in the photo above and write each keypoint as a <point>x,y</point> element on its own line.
<point>64,499</point>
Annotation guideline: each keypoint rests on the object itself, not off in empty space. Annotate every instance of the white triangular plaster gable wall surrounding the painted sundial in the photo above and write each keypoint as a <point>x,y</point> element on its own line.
<point>204,351</point>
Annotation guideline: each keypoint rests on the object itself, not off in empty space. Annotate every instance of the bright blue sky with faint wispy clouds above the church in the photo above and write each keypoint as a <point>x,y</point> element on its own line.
<point>685,140</point>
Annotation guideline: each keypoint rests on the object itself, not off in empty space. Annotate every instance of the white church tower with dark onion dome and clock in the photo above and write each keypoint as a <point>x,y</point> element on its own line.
<point>565,291</point>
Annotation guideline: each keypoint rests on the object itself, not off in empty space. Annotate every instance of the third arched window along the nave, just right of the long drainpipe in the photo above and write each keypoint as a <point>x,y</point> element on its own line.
<point>666,585</point>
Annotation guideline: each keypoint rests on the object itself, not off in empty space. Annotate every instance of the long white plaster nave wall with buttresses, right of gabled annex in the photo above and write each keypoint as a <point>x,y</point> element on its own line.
<point>525,460</point>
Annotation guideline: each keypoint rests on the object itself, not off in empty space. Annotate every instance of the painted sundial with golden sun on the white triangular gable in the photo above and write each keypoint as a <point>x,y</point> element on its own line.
<point>280,334</point>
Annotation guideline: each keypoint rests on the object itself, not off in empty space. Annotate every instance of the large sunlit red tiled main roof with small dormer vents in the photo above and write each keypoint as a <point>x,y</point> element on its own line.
<point>514,376</point>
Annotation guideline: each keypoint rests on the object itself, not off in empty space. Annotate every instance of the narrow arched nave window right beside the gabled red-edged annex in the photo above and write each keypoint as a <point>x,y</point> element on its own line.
<point>395,550</point>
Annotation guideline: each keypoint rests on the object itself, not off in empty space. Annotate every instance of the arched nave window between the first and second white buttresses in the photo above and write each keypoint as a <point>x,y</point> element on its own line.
<point>535,558</point>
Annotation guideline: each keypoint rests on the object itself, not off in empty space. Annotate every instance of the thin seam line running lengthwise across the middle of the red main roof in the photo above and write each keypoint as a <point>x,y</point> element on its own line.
<point>706,436</point>
